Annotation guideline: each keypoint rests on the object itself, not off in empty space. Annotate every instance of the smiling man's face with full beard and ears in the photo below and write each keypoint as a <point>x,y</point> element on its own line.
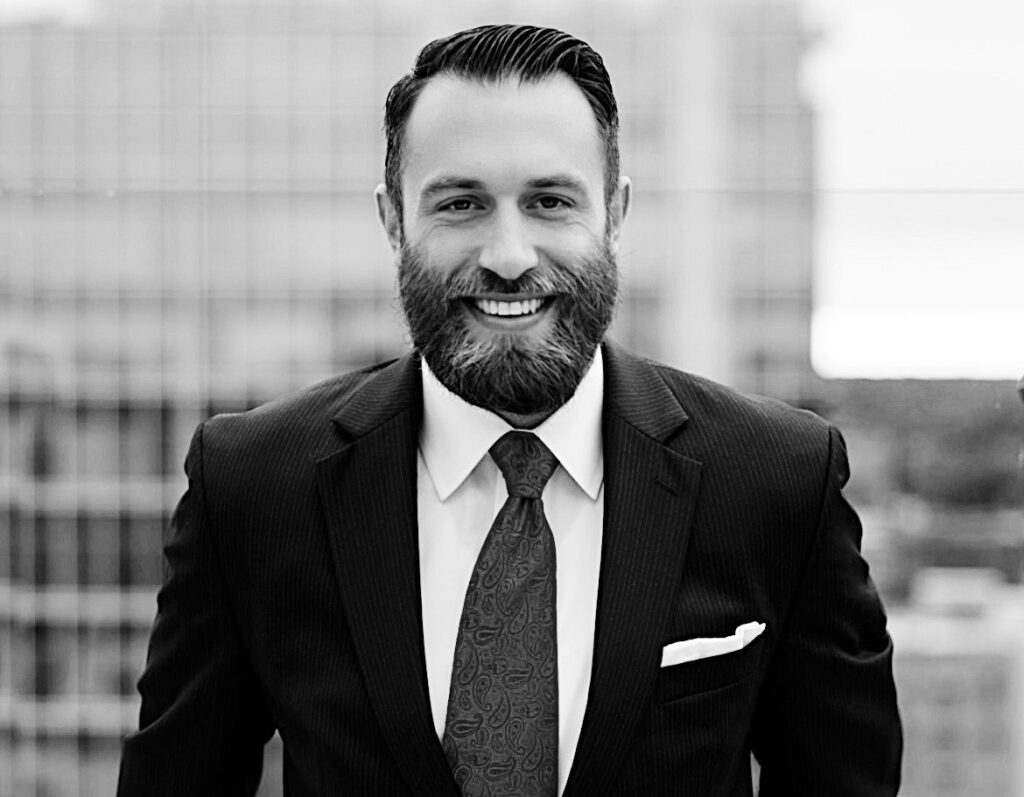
<point>506,260</point>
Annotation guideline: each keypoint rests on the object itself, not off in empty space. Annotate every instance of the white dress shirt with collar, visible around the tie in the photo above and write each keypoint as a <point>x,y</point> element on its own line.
<point>460,491</point>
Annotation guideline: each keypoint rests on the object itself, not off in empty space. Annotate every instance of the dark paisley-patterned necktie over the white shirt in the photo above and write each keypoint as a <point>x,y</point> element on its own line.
<point>501,731</point>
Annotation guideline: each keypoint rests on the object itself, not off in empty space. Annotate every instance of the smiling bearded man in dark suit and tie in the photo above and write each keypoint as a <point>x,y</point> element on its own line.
<point>352,568</point>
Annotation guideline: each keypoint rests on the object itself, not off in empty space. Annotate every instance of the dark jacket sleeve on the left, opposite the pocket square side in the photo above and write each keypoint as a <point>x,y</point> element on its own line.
<point>203,723</point>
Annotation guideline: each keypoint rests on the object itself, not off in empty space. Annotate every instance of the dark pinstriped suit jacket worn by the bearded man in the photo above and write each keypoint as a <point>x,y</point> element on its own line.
<point>292,602</point>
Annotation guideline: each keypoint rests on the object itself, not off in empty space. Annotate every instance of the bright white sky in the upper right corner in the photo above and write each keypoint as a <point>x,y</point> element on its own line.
<point>921,162</point>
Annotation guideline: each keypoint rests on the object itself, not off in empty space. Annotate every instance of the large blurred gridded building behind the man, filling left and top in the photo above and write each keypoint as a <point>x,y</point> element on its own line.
<point>188,228</point>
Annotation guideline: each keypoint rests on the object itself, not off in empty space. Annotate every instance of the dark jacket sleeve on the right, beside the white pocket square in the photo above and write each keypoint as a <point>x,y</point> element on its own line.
<point>827,722</point>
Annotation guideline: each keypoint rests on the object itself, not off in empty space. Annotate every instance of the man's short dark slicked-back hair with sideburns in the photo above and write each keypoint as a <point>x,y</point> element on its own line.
<point>494,53</point>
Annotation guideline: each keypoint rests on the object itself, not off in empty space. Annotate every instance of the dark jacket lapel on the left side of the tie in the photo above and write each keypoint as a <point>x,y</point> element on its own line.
<point>368,490</point>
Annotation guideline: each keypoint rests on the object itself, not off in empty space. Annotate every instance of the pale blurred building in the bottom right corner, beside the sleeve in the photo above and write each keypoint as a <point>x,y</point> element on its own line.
<point>960,676</point>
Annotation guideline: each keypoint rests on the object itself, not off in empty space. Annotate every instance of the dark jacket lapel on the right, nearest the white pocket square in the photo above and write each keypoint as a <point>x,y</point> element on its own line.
<point>651,492</point>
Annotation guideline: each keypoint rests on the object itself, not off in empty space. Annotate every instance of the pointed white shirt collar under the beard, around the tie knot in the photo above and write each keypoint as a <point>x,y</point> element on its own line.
<point>456,436</point>
